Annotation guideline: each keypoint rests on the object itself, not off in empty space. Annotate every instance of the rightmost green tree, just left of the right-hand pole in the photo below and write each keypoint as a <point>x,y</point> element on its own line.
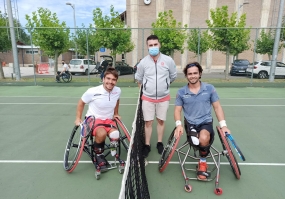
<point>265,44</point>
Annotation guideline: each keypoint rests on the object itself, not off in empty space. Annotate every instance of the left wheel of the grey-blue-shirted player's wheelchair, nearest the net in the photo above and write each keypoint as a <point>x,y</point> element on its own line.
<point>168,151</point>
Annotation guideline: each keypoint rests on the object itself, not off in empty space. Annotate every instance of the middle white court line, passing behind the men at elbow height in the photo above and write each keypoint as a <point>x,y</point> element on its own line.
<point>241,105</point>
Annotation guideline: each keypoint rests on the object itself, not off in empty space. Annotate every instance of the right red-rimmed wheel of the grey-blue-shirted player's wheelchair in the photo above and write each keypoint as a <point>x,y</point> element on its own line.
<point>230,156</point>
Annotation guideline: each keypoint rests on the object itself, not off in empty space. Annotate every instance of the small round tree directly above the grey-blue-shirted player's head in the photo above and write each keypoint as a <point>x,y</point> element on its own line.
<point>198,42</point>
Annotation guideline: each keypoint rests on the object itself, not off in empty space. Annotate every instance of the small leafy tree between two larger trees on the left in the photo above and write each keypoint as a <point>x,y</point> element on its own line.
<point>82,35</point>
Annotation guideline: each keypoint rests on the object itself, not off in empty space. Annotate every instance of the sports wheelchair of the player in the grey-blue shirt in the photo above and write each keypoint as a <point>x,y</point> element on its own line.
<point>183,153</point>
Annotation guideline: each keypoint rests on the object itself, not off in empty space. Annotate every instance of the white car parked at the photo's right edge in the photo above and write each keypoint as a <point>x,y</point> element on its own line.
<point>261,69</point>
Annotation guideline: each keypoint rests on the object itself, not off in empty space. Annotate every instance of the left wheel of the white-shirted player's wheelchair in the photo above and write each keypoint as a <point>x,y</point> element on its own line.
<point>73,150</point>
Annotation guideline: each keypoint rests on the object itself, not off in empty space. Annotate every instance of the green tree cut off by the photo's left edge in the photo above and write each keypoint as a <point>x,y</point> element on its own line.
<point>5,42</point>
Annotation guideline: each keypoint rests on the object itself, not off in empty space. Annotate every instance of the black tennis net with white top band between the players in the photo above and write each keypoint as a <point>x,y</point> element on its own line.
<point>134,183</point>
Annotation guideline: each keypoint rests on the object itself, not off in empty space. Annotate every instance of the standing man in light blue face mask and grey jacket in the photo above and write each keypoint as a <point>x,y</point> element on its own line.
<point>155,73</point>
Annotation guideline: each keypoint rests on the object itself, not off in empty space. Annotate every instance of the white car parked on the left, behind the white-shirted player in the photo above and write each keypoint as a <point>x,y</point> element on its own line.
<point>81,66</point>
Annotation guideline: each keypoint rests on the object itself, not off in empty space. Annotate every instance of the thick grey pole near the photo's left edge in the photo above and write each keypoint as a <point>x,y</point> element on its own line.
<point>13,40</point>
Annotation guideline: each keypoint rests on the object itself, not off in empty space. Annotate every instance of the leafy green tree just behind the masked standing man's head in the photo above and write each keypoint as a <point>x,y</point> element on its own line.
<point>170,33</point>
